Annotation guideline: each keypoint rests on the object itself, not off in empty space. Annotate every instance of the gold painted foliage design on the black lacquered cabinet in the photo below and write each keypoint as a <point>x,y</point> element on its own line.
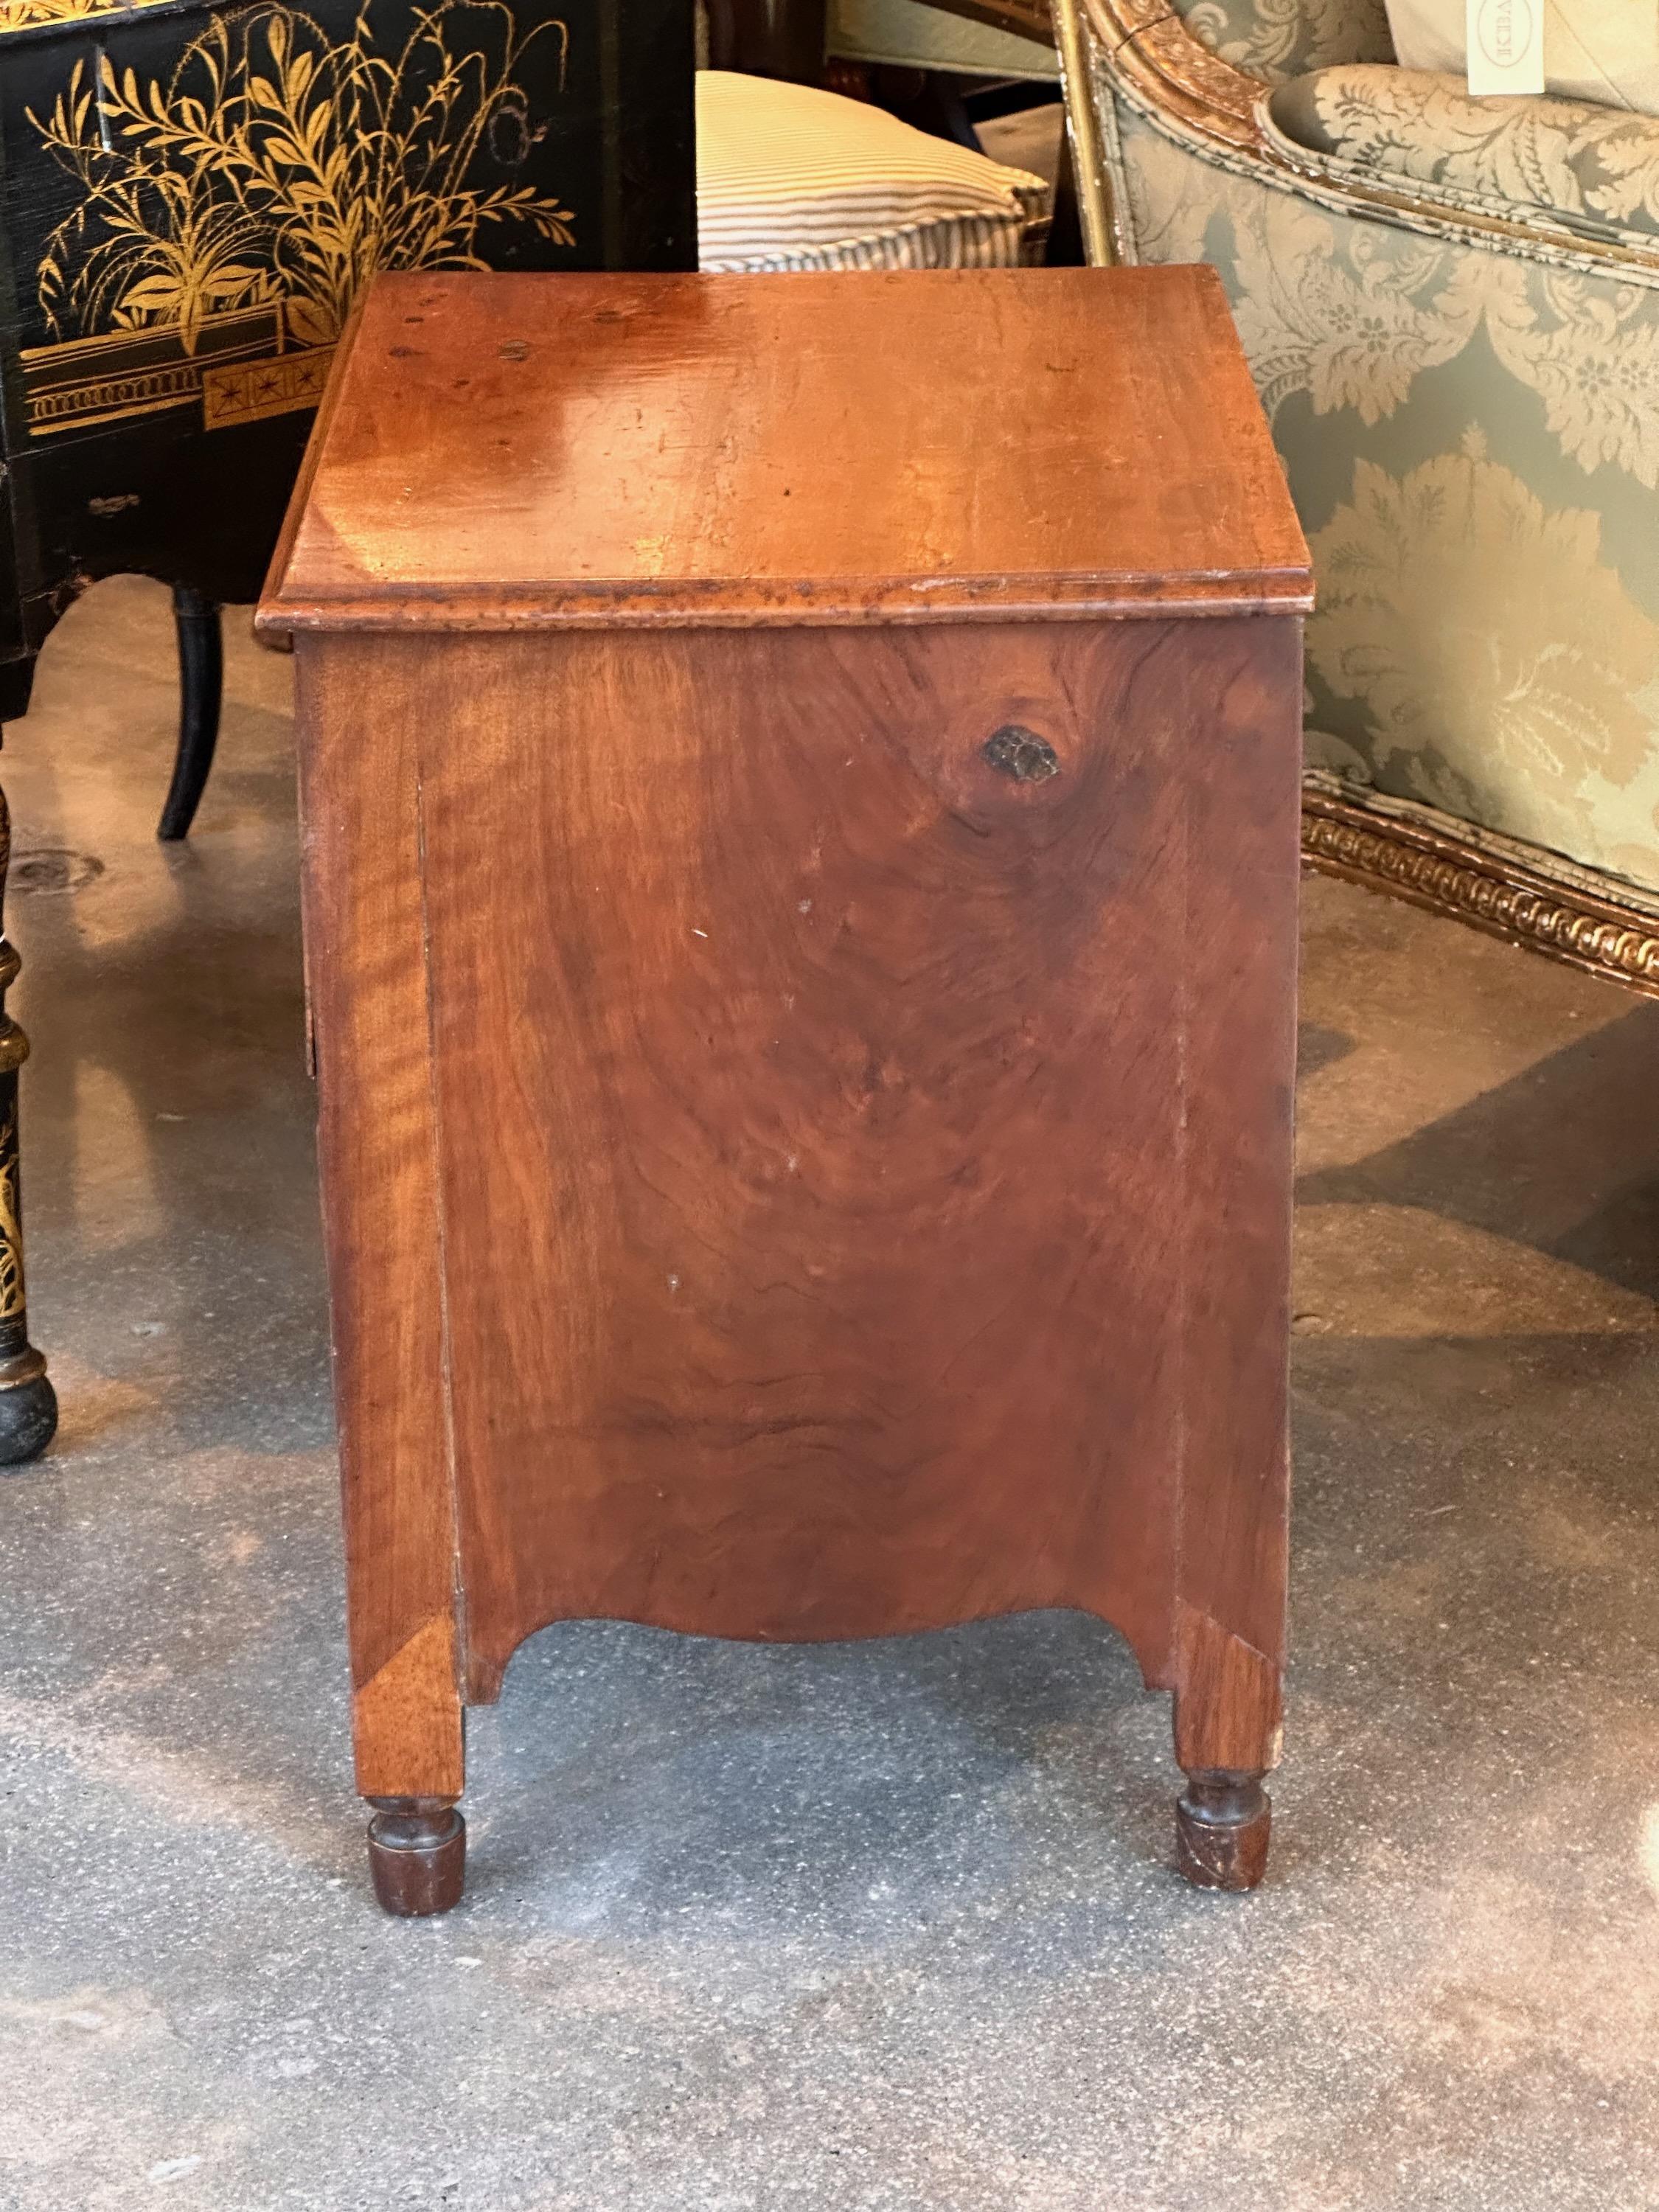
<point>278,165</point>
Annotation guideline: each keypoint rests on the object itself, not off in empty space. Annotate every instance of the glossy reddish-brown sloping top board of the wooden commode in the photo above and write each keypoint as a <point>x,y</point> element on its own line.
<point>961,446</point>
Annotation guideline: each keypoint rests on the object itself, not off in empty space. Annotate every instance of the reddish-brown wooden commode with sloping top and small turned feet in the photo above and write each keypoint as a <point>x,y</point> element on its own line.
<point>800,824</point>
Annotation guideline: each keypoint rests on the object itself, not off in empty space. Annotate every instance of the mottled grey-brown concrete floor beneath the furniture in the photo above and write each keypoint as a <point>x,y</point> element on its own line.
<point>855,1930</point>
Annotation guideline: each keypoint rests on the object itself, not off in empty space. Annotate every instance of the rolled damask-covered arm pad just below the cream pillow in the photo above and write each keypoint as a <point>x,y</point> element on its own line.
<point>1587,167</point>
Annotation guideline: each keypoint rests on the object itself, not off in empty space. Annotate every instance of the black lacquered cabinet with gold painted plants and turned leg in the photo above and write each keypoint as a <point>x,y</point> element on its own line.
<point>191,198</point>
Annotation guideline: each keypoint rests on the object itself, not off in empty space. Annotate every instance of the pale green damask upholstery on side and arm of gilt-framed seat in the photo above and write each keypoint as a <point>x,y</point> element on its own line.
<point>1472,435</point>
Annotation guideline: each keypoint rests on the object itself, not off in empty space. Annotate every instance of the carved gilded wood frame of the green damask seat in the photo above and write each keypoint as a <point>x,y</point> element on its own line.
<point>1145,54</point>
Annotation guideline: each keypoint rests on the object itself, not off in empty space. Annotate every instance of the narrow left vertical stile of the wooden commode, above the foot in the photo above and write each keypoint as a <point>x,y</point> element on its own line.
<point>366,972</point>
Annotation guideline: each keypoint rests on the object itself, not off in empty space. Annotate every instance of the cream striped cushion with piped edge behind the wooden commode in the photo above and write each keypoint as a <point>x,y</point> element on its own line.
<point>791,178</point>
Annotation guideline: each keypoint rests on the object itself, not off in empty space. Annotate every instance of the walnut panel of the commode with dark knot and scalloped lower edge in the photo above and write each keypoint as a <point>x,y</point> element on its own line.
<point>859,1107</point>
